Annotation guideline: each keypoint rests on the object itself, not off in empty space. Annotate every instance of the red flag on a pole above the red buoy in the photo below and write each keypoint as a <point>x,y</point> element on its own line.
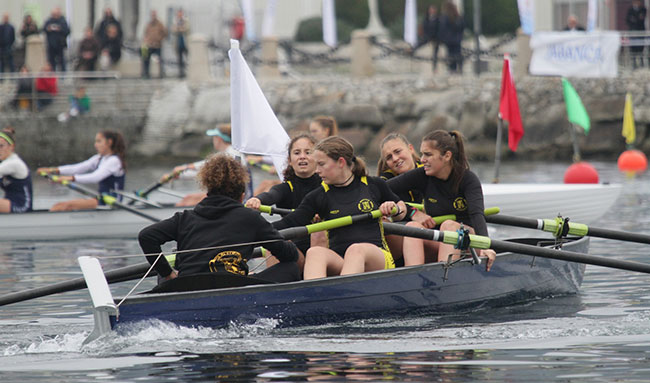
<point>509,107</point>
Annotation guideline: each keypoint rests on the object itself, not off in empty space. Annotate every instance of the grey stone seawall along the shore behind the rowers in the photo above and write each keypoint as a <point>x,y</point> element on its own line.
<point>171,118</point>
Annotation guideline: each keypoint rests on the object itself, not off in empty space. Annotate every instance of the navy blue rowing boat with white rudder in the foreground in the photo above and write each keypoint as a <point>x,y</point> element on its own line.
<point>414,290</point>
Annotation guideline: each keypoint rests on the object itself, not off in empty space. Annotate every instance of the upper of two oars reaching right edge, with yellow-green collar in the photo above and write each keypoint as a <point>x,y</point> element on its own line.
<point>578,229</point>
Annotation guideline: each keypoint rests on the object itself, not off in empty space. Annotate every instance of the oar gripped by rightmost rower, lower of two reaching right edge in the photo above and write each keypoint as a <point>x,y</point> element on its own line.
<point>482,242</point>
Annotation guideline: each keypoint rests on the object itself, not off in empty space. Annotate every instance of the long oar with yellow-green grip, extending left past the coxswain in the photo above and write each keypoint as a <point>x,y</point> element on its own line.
<point>137,271</point>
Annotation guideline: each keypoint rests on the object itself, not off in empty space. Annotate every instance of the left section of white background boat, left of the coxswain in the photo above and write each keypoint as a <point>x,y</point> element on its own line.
<point>98,223</point>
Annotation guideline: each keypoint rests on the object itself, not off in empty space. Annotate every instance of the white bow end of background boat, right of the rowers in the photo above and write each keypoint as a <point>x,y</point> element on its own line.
<point>583,203</point>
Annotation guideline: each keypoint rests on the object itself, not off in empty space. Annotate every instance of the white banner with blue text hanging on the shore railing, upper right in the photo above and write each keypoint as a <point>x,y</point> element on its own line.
<point>575,54</point>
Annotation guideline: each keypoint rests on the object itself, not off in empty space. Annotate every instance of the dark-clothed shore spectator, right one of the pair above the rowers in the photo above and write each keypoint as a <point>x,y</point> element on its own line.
<point>451,29</point>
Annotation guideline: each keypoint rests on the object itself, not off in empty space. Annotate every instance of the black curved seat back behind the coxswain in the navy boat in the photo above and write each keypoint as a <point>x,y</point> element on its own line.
<point>206,281</point>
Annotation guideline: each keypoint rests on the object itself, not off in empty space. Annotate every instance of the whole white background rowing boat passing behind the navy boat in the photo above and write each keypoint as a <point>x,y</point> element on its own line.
<point>580,202</point>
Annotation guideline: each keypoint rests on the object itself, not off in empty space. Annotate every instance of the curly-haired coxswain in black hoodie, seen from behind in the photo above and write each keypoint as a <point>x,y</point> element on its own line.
<point>223,231</point>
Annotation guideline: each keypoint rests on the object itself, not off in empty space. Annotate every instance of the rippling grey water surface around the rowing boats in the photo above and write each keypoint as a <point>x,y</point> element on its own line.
<point>600,335</point>
